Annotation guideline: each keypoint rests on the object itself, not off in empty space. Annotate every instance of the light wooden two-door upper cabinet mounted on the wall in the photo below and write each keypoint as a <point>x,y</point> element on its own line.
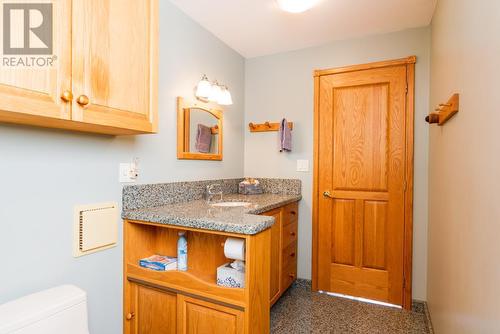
<point>106,69</point>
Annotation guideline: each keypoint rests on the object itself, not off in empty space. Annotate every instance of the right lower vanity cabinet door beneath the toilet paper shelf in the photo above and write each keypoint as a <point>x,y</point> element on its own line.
<point>201,317</point>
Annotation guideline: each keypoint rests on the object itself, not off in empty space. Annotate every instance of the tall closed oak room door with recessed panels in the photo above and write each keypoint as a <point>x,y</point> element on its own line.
<point>361,175</point>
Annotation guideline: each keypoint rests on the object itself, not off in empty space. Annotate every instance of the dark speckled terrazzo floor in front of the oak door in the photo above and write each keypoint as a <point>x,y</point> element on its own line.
<point>303,311</point>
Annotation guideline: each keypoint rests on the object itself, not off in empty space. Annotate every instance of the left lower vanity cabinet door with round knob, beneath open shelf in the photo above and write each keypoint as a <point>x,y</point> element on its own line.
<point>150,311</point>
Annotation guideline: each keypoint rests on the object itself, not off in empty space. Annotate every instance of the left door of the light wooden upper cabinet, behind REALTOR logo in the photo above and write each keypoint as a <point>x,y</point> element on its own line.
<point>32,93</point>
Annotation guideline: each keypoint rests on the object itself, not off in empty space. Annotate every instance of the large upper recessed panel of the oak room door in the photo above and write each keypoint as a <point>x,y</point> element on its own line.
<point>360,137</point>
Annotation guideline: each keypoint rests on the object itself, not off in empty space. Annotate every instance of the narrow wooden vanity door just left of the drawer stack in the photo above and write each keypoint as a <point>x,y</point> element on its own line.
<point>275,255</point>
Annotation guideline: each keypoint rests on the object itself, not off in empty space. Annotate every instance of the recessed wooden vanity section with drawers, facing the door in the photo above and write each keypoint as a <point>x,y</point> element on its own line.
<point>283,249</point>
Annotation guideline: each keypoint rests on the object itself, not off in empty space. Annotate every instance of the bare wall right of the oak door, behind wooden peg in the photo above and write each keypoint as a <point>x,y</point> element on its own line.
<point>464,165</point>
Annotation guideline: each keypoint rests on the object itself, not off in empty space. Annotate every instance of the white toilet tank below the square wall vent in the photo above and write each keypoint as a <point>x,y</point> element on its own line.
<point>60,310</point>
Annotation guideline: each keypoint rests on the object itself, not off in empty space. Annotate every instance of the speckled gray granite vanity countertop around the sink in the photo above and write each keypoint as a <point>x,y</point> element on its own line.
<point>198,214</point>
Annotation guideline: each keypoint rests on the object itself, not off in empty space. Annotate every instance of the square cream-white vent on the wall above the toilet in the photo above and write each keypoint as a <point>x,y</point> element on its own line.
<point>95,228</point>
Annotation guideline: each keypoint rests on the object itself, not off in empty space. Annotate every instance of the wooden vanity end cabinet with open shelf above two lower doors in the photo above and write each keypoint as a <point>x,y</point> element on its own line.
<point>191,302</point>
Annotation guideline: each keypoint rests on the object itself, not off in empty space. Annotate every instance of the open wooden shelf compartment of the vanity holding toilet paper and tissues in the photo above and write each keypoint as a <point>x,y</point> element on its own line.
<point>205,255</point>
